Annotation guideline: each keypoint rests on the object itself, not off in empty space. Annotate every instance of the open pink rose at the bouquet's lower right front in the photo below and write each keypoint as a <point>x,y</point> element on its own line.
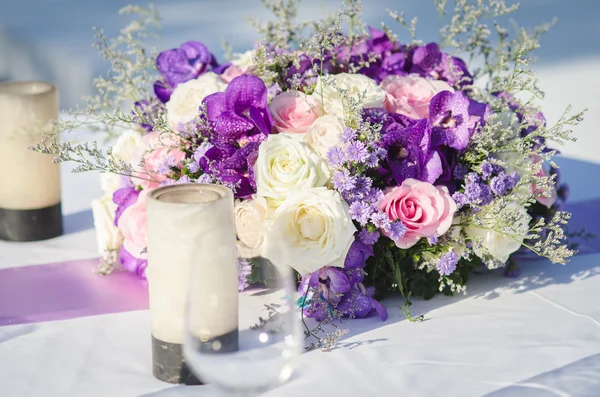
<point>426,210</point>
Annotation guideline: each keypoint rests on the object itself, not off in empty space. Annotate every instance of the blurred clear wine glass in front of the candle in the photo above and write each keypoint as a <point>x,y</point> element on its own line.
<point>268,339</point>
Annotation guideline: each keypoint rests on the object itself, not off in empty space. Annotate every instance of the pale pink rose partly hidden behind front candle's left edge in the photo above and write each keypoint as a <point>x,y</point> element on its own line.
<point>132,224</point>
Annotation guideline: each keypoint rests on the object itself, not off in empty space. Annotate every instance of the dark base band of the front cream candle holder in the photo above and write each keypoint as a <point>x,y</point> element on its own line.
<point>168,363</point>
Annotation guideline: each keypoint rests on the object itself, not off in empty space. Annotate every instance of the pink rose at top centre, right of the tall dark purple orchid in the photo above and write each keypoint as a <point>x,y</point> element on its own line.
<point>293,112</point>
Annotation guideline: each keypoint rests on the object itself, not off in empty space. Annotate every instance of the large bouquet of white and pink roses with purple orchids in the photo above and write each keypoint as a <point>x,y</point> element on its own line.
<point>379,165</point>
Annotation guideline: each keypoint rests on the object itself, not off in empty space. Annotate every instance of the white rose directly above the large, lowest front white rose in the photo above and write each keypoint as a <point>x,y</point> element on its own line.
<point>285,164</point>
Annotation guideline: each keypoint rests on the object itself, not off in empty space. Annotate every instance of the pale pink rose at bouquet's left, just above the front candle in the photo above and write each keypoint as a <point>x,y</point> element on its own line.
<point>154,149</point>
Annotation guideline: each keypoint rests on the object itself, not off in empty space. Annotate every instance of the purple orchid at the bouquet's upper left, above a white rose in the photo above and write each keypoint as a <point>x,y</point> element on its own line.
<point>182,64</point>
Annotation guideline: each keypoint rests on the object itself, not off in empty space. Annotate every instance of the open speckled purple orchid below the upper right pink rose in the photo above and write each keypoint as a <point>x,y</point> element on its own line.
<point>454,118</point>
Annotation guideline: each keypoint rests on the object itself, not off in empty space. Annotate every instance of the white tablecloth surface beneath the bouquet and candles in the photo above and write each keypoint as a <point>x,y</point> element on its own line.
<point>536,335</point>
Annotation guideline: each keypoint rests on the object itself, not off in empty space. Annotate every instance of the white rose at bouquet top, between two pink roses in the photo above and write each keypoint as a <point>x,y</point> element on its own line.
<point>356,86</point>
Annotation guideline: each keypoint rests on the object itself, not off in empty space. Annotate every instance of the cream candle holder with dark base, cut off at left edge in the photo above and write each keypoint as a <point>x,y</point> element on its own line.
<point>30,204</point>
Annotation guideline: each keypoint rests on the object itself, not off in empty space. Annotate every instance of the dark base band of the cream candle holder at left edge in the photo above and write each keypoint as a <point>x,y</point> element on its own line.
<point>31,225</point>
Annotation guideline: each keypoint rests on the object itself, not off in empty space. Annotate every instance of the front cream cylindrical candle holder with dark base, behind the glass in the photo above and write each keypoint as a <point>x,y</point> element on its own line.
<point>190,225</point>
